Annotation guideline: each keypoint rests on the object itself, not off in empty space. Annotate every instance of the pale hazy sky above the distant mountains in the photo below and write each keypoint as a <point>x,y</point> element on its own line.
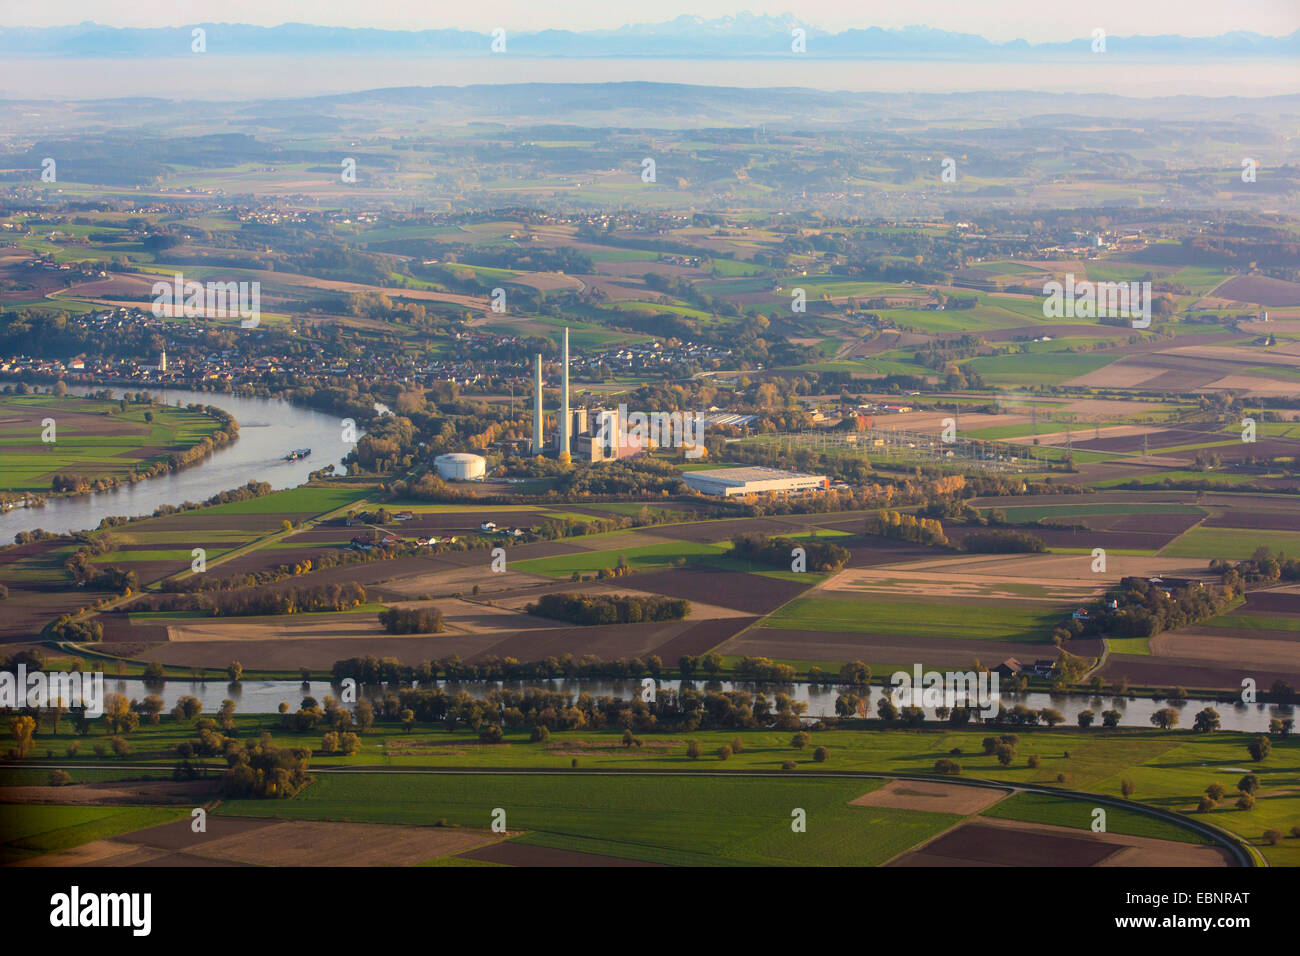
<point>999,20</point>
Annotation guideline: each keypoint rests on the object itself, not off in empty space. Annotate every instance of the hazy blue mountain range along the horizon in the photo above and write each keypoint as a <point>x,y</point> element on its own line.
<point>740,36</point>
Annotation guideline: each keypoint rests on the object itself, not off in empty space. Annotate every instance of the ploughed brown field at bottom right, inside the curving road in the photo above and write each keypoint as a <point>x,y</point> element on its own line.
<point>993,842</point>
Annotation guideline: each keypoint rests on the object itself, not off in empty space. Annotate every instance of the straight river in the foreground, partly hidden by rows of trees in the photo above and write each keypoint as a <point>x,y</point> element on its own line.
<point>266,697</point>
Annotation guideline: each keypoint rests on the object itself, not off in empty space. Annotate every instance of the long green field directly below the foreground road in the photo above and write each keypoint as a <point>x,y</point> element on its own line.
<point>653,819</point>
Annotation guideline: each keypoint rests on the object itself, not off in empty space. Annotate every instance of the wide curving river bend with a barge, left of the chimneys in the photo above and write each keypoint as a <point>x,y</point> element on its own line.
<point>268,430</point>
